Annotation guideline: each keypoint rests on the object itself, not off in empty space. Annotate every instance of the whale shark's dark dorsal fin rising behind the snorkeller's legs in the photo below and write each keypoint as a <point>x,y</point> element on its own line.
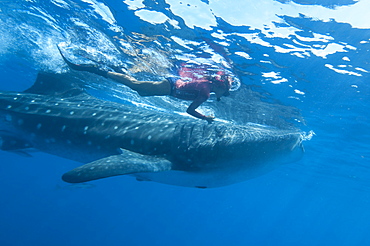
<point>64,85</point>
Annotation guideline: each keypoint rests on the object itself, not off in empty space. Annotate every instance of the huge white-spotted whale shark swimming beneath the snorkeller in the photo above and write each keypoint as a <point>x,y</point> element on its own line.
<point>58,116</point>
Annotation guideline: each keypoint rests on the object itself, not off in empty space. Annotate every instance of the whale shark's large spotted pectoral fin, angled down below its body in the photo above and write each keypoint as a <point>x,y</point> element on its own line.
<point>126,163</point>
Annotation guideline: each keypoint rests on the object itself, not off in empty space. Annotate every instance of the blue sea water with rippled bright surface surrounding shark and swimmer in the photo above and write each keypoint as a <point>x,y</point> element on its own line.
<point>308,56</point>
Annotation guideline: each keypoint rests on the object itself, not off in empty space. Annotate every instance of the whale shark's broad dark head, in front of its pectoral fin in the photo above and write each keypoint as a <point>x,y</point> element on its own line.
<point>205,147</point>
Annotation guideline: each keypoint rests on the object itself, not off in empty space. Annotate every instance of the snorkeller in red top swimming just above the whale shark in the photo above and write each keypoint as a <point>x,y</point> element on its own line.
<point>197,89</point>
